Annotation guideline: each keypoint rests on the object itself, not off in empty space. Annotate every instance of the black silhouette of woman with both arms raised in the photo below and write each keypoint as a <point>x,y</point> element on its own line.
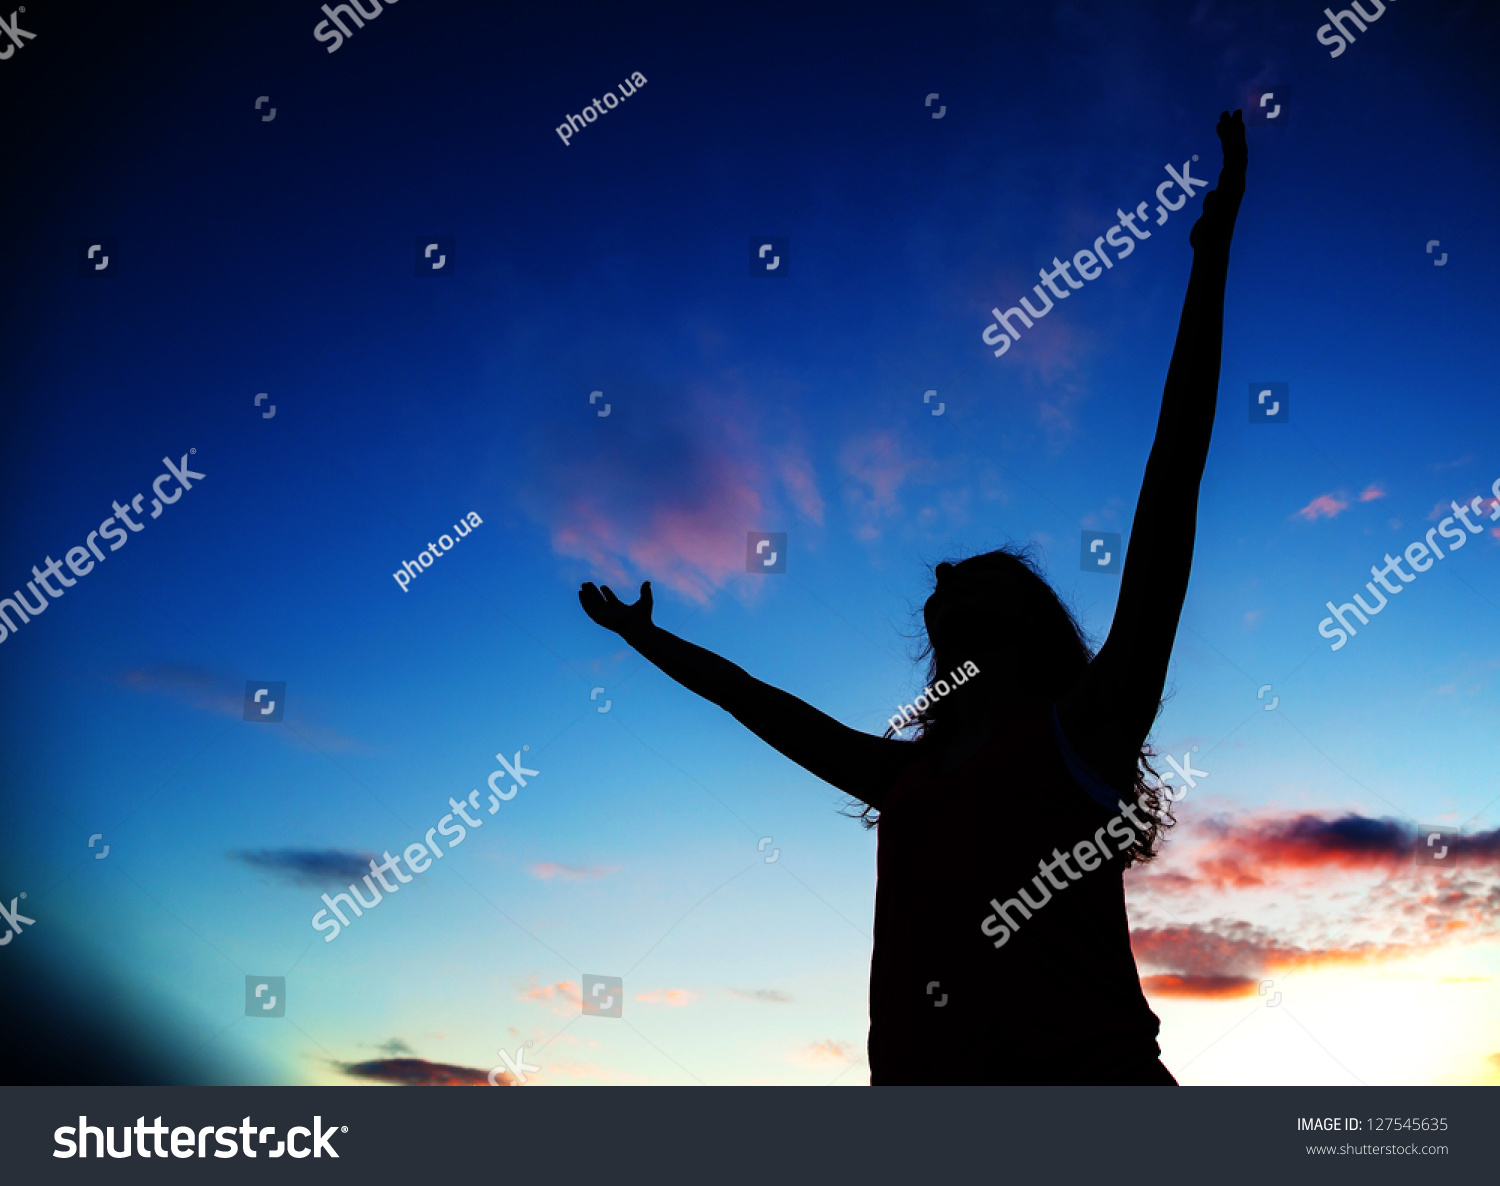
<point>986,971</point>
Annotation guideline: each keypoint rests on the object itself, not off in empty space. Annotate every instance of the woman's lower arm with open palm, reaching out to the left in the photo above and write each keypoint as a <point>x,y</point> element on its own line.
<point>857,764</point>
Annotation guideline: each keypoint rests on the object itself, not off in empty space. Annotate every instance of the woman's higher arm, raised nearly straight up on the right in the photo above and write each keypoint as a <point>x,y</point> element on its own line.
<point>1111,710</point>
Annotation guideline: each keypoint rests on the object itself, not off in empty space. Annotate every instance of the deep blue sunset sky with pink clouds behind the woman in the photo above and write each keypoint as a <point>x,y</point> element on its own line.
<point>280,257</point>
